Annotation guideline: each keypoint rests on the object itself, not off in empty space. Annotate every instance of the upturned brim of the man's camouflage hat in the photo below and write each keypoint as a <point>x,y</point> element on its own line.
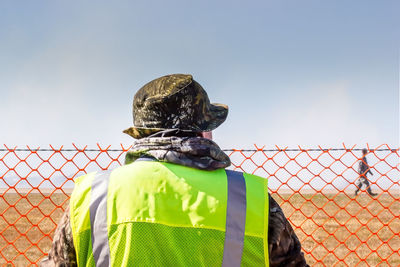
<point>218,114</point>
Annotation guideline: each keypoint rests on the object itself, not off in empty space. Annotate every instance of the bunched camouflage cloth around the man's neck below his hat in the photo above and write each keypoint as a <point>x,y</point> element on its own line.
<point>195,152</point>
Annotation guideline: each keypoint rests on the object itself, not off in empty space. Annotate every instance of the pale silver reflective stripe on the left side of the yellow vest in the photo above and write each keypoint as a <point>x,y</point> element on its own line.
<point>98,219</point>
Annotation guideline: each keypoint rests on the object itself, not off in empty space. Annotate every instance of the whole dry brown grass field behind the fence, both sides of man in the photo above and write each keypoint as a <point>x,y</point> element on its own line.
<point>335,229</point>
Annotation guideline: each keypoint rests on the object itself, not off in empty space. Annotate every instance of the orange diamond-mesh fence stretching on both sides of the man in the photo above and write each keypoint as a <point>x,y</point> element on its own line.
<point>315,188</point>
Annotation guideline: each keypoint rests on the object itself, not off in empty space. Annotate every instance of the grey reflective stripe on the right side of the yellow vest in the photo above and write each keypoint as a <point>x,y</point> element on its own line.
<point>235,219</point>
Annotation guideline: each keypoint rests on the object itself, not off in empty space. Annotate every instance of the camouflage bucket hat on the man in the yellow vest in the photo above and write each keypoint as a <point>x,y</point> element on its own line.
<point>174,102</point>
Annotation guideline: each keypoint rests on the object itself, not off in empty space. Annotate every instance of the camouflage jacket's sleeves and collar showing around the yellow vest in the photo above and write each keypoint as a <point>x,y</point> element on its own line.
<point>284,246</point>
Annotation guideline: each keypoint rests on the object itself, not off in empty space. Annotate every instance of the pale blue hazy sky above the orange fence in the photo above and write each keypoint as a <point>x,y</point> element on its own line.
<point>292,72</point>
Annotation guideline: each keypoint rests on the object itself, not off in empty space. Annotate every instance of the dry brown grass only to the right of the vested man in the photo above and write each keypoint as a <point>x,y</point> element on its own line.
<point>340,229</point>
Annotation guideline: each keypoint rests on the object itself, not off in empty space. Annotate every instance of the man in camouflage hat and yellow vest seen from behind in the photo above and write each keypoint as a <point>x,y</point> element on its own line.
<point>174,203</point>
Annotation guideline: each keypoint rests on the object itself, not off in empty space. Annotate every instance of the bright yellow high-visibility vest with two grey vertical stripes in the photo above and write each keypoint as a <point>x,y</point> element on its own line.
<point>151,213</point>
